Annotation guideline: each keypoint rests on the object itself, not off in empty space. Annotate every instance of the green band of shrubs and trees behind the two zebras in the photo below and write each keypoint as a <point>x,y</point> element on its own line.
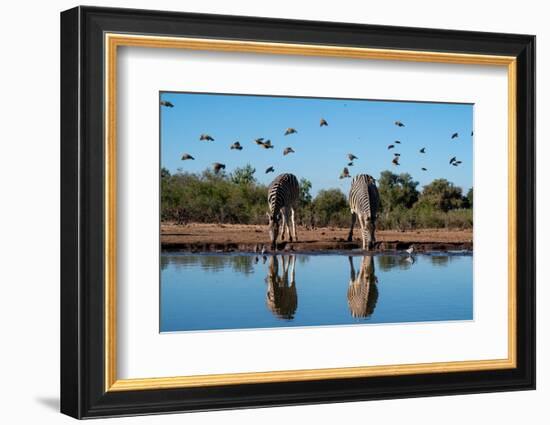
<point>238,198</point>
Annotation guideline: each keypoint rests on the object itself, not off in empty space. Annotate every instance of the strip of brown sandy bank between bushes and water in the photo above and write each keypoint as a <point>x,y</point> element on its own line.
<point>198,237</point>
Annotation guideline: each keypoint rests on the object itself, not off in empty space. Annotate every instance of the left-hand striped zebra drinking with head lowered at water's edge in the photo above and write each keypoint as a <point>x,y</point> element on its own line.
<point>282,197</point>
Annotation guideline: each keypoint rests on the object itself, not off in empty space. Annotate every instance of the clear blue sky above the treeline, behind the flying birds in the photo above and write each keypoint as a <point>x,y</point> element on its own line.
<point>362,127</point>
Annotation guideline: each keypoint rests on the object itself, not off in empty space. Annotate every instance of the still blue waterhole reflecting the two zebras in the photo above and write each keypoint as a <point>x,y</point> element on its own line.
<point>240,291</point>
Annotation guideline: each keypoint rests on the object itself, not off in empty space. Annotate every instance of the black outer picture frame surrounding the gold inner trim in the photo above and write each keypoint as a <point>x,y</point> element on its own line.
<point>82,212</point>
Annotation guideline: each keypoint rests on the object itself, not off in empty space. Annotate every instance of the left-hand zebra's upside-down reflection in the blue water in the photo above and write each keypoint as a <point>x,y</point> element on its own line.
<point>281,297</point>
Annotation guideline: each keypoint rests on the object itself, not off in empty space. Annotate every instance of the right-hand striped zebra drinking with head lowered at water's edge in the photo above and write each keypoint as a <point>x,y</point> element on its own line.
<point>363,202</point>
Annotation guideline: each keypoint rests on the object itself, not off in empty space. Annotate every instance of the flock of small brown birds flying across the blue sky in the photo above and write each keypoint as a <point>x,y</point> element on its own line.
<point>266,144</point>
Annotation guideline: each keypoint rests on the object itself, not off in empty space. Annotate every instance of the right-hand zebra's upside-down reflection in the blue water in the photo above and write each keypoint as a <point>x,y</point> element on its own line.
<point>362,289</point>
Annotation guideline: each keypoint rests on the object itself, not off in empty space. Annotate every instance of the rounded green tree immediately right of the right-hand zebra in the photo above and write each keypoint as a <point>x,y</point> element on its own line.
<point>396,191</point>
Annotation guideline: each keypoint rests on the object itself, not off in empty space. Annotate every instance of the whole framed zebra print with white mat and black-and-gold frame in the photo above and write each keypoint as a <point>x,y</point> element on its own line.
<point>261,212</point>
